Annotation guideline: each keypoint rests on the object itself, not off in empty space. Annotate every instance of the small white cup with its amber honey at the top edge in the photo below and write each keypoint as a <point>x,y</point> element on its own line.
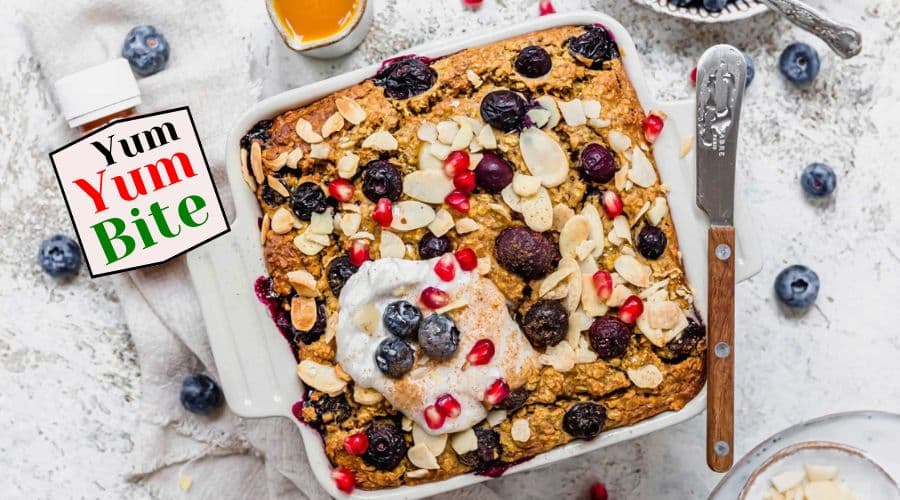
<point>322,28</point>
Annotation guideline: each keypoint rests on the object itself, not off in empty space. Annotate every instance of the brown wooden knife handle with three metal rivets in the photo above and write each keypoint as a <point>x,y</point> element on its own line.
<point>720,350</point>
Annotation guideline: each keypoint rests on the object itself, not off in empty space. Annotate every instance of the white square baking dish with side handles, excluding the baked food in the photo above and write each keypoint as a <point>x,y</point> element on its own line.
<point>256,367</point>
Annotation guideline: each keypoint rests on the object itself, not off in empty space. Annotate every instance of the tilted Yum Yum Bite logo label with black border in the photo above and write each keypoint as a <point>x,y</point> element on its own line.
<point>139,191</point>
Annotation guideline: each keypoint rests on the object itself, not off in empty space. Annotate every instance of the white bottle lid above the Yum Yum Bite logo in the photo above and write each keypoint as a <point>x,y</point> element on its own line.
<point>97,91</point>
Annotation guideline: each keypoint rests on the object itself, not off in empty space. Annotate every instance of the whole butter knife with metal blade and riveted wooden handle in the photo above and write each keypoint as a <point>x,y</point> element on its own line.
<point>721,75</point>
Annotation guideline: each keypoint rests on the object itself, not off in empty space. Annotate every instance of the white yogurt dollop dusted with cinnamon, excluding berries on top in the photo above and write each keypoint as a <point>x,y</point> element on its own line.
<point>485,315</point>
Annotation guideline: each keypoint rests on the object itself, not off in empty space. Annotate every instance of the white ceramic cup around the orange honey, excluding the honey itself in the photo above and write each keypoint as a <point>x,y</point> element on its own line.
<point>336,45</point>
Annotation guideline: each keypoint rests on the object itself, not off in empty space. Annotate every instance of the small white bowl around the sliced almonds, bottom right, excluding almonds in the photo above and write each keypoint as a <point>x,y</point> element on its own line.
<point>865,478</point>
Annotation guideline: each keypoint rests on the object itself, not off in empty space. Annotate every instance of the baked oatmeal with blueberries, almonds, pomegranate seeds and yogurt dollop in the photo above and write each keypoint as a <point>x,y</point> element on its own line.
<point>473,259</point>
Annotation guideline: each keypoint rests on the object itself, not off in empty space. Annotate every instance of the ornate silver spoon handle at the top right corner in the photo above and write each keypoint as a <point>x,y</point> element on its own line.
<point>844,40</point>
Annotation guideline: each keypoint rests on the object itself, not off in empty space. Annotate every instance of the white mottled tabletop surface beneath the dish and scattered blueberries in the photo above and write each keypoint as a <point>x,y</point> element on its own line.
<point>67,371</point>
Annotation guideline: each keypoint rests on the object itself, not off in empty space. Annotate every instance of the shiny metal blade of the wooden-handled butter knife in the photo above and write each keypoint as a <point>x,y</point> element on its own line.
<point>721,76</point>
